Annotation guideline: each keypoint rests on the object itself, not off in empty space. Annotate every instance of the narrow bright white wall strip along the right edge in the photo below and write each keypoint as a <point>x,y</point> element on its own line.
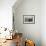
<point>43,22</point>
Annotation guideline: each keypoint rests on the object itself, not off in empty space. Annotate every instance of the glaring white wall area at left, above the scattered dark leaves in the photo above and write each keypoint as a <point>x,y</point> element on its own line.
<point>6,13</point>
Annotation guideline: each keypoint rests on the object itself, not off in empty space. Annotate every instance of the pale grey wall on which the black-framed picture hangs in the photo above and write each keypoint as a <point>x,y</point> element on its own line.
<point>31,31</point>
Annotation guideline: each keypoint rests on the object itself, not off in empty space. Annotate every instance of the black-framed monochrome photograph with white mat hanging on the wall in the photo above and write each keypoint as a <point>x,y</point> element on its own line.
<point>28,19</point>
